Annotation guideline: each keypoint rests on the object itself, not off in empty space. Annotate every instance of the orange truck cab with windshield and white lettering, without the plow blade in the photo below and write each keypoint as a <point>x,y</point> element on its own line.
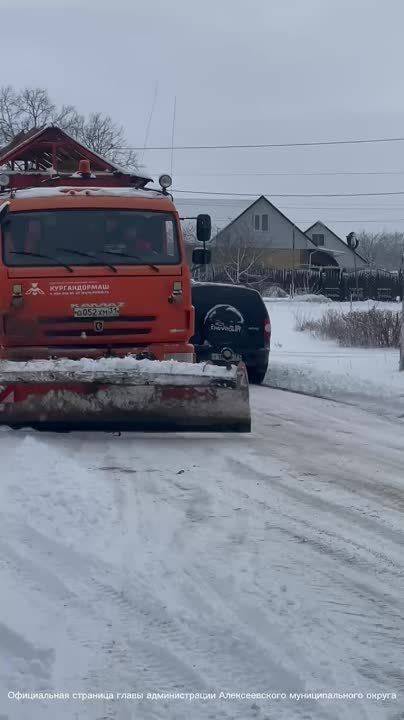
<point>93,271</point>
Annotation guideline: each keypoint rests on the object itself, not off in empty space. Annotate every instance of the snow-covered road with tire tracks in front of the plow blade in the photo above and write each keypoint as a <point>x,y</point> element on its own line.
<point>269,563</point>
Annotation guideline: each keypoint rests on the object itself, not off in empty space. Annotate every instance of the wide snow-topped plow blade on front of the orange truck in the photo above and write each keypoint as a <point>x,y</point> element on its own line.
<point>124,394</point>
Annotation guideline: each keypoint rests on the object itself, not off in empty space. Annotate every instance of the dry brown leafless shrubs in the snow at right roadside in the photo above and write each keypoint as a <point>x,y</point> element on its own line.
<point>369,328</point>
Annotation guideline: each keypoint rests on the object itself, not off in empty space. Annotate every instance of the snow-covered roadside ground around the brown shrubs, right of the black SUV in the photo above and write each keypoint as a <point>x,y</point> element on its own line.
<point>303,363</point>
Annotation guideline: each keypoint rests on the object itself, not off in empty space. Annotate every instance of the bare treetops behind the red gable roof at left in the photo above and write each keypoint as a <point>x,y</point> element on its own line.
<point>30,108</point>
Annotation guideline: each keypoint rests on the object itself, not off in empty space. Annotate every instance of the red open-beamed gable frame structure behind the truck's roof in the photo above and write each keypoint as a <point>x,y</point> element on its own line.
<point>48,154</point>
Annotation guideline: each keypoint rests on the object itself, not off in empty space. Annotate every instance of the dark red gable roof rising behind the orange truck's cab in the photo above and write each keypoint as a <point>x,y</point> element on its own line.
<point>39,144</point>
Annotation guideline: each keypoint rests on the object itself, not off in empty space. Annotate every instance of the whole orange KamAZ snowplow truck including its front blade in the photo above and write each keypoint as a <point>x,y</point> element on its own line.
<point>95,305</point>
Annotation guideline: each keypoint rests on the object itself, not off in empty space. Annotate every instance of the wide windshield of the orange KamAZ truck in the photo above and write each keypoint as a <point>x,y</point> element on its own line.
<point>90,237</point>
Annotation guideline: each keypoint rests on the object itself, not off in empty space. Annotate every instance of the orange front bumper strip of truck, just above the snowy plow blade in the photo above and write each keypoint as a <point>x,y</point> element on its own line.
<point>158,351</point>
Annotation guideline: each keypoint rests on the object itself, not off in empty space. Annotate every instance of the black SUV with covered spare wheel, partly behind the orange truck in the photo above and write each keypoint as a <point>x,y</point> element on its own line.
<point>231,324</point>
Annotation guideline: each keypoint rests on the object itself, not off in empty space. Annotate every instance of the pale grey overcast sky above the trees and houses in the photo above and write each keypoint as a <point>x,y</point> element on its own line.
<point>256,71</point>
